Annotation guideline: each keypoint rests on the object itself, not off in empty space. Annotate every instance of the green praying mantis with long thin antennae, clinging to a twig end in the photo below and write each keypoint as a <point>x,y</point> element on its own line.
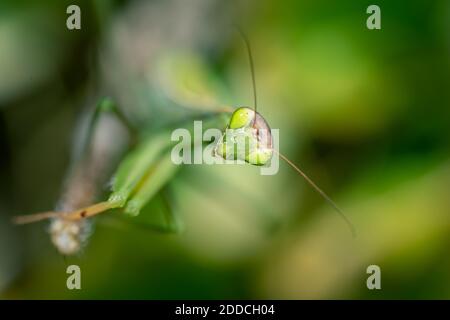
<point>147,167</point>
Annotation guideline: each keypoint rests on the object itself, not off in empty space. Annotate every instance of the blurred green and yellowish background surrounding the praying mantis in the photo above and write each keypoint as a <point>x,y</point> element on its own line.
<point>365,113</point>
